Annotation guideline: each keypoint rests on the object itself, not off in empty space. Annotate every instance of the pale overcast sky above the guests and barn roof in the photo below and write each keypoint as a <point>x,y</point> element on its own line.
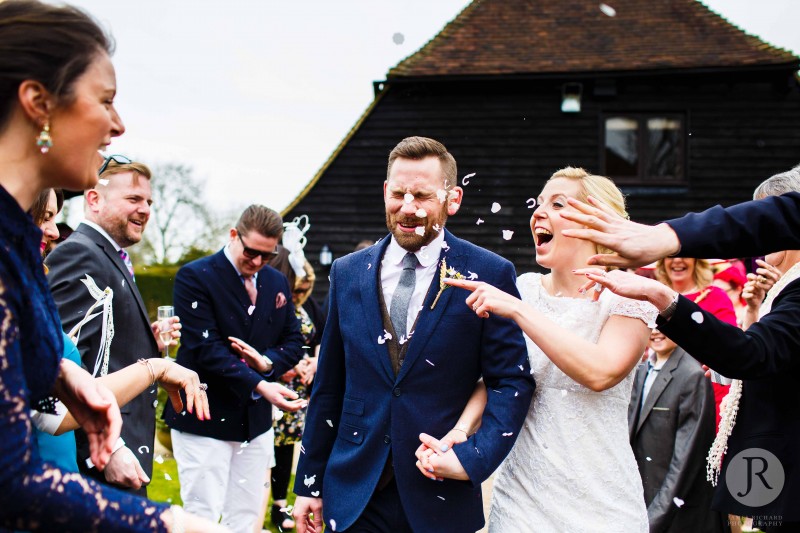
<point>256,94</point>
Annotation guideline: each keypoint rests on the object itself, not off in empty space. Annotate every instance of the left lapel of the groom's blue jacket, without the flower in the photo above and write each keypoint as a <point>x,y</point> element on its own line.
<point>370,282</point>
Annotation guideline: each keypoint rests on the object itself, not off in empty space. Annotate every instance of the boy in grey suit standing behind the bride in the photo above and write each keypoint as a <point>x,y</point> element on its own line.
<point>671,422</point>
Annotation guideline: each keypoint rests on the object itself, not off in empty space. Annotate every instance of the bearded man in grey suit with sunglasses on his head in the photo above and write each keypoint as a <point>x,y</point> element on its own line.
<point>116,211</point>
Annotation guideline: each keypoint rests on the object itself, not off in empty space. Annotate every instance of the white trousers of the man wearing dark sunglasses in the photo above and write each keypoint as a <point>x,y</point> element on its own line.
<point>224,477</point>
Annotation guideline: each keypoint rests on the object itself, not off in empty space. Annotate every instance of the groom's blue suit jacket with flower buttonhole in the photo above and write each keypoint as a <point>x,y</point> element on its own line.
<point>360,411</point>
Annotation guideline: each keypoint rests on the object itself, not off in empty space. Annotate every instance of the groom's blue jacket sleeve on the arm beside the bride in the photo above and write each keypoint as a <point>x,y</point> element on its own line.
<point>509,386</point>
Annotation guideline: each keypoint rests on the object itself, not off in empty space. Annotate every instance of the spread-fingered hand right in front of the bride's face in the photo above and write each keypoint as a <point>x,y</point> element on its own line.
<point>636,244</point>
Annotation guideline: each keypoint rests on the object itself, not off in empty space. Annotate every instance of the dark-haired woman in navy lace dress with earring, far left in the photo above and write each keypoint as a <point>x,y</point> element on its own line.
<point>56,110</point>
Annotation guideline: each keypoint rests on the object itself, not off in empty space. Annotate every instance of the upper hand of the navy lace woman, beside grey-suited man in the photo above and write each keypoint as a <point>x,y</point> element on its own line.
<point>93,406</point>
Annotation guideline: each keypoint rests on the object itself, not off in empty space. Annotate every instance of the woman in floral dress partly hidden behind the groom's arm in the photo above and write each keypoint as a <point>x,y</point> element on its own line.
<point>289,429</point>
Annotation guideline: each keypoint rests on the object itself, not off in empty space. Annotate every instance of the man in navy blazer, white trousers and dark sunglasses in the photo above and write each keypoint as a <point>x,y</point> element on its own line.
<point>240,333</point>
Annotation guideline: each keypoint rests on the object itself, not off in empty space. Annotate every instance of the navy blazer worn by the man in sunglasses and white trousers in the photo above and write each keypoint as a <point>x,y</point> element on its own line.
<point>213,305</point>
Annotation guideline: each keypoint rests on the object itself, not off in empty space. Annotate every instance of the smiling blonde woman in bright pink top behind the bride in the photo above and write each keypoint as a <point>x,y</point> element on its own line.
<point>692,278</point>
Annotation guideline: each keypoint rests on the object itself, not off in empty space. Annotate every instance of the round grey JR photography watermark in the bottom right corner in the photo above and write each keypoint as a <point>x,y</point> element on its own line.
<point>755,477</point>
